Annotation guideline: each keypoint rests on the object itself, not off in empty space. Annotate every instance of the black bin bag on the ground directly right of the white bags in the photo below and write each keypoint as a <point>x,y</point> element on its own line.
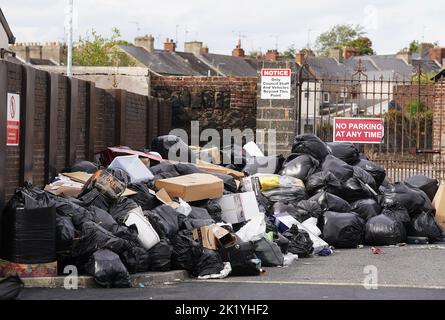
<point>343,230</point>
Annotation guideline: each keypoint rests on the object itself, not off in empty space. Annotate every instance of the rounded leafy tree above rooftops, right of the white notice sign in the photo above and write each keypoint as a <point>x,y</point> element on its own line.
<point>339,36</point>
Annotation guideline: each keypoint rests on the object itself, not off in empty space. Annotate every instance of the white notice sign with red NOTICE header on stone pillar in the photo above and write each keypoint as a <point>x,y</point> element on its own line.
<point>275,84</point>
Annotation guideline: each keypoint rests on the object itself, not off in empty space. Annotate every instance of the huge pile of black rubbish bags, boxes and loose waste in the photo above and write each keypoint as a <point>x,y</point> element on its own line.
<point>138,212</point>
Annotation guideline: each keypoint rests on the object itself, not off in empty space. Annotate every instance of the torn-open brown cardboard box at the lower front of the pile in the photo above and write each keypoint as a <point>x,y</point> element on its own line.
<point>211,236</point>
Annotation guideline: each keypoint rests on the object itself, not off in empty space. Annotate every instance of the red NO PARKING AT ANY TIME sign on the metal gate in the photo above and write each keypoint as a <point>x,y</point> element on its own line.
<point>359,130</point>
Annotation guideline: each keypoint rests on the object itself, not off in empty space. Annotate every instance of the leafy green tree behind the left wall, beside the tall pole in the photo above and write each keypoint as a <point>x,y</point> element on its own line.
<point>96,50</point>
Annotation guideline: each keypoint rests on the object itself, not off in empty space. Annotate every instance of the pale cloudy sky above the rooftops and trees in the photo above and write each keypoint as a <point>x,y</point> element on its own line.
<point>262,24</point>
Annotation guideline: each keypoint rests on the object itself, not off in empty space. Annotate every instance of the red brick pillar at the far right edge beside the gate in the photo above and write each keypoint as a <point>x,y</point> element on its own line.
<point>439,117</point>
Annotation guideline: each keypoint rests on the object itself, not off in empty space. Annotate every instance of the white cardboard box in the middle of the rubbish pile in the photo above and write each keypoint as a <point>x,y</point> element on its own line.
<point>239,207</point>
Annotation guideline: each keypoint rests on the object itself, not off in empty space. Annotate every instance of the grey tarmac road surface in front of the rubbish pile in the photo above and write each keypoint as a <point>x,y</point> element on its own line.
<point>408,272</point>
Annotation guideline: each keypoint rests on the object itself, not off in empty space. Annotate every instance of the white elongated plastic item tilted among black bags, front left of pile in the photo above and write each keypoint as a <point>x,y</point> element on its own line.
<point>147,235</point>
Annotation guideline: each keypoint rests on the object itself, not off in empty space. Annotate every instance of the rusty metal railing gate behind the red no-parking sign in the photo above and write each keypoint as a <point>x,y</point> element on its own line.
<point>406,105</point>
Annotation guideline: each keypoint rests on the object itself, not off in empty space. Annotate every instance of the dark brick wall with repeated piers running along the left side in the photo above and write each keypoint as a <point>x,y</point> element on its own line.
<point>141,122</point>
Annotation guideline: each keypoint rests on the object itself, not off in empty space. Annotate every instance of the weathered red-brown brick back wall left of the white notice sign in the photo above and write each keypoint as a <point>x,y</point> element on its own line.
<point>216,102</point>
